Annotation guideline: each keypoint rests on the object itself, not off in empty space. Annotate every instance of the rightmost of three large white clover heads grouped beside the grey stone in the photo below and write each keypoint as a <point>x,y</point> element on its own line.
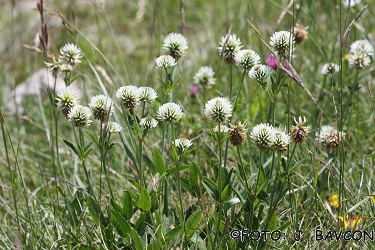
<point>101,107</point>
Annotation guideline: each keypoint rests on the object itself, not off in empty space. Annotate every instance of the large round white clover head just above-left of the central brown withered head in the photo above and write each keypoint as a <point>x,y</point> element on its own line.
<point>218,109</point>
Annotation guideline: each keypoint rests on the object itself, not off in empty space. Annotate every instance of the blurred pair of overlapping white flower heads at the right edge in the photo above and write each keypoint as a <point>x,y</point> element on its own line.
<point>360,54</point>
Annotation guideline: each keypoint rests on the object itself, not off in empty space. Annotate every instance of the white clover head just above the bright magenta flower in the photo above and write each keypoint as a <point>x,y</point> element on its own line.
<point>283,43</point>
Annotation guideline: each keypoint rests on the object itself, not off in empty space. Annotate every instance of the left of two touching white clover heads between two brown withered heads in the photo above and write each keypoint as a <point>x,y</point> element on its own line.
<point>263,136</point>
